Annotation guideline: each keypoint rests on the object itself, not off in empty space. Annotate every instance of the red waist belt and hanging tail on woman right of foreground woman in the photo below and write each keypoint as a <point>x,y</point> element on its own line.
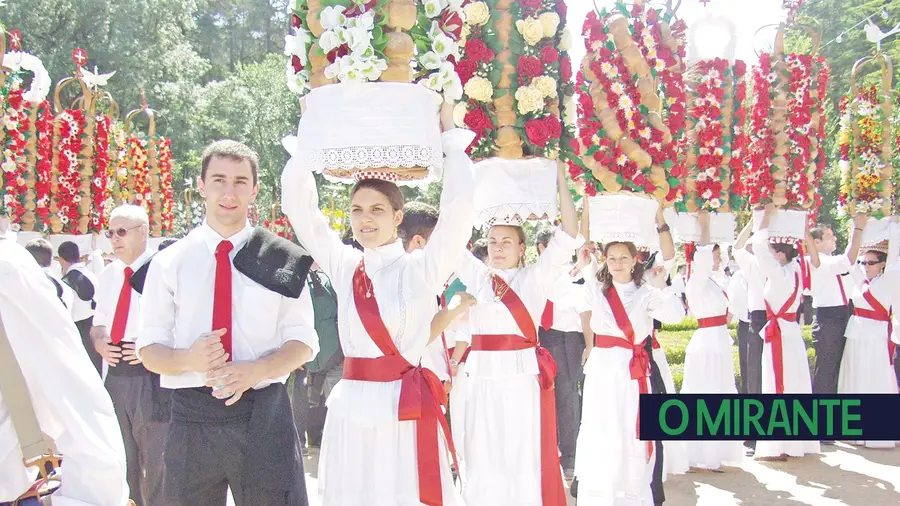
<point>546,377</point>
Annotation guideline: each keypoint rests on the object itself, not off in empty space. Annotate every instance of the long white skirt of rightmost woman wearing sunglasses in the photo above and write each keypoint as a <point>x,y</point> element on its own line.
<point>866,367</point>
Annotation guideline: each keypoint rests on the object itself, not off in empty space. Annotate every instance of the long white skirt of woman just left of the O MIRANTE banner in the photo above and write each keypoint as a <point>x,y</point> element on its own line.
<point>610,461</point>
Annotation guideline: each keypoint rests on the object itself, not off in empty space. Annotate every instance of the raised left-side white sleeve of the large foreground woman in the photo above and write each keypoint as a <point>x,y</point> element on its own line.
<point>301,205</point>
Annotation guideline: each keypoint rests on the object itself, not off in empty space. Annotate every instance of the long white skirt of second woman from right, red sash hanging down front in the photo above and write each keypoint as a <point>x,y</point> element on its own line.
<point>797,380</point>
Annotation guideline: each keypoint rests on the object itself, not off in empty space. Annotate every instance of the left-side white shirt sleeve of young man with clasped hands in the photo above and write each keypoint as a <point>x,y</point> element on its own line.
<point>157,307</point>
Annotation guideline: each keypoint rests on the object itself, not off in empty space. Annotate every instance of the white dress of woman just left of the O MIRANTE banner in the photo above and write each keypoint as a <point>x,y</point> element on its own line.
<point>611,463</point>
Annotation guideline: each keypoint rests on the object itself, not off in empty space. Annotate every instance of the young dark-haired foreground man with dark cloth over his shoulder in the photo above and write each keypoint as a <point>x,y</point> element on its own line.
<point>225,333</point>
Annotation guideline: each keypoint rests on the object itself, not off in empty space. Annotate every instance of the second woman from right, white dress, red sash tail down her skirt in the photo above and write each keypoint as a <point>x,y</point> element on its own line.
<point>785,367</point>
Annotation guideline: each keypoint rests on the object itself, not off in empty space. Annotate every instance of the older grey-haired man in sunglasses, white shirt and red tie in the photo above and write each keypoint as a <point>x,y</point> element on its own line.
<point>142,407</point>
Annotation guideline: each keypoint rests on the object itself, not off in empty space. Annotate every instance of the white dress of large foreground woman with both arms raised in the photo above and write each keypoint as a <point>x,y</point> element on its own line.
<point>368,456</point>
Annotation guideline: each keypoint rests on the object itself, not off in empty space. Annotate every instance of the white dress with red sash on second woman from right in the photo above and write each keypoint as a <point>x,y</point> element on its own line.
<point>781,282</point>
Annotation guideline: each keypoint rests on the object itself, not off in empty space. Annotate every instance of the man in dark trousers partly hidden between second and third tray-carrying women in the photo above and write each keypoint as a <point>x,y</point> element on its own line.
<point>560,332</point>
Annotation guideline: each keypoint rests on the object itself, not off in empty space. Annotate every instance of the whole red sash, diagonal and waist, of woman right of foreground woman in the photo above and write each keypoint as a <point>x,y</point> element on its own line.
<point>552,491</point>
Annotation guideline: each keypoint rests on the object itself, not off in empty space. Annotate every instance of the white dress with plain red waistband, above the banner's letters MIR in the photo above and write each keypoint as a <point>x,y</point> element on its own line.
<point>708,361</point>
